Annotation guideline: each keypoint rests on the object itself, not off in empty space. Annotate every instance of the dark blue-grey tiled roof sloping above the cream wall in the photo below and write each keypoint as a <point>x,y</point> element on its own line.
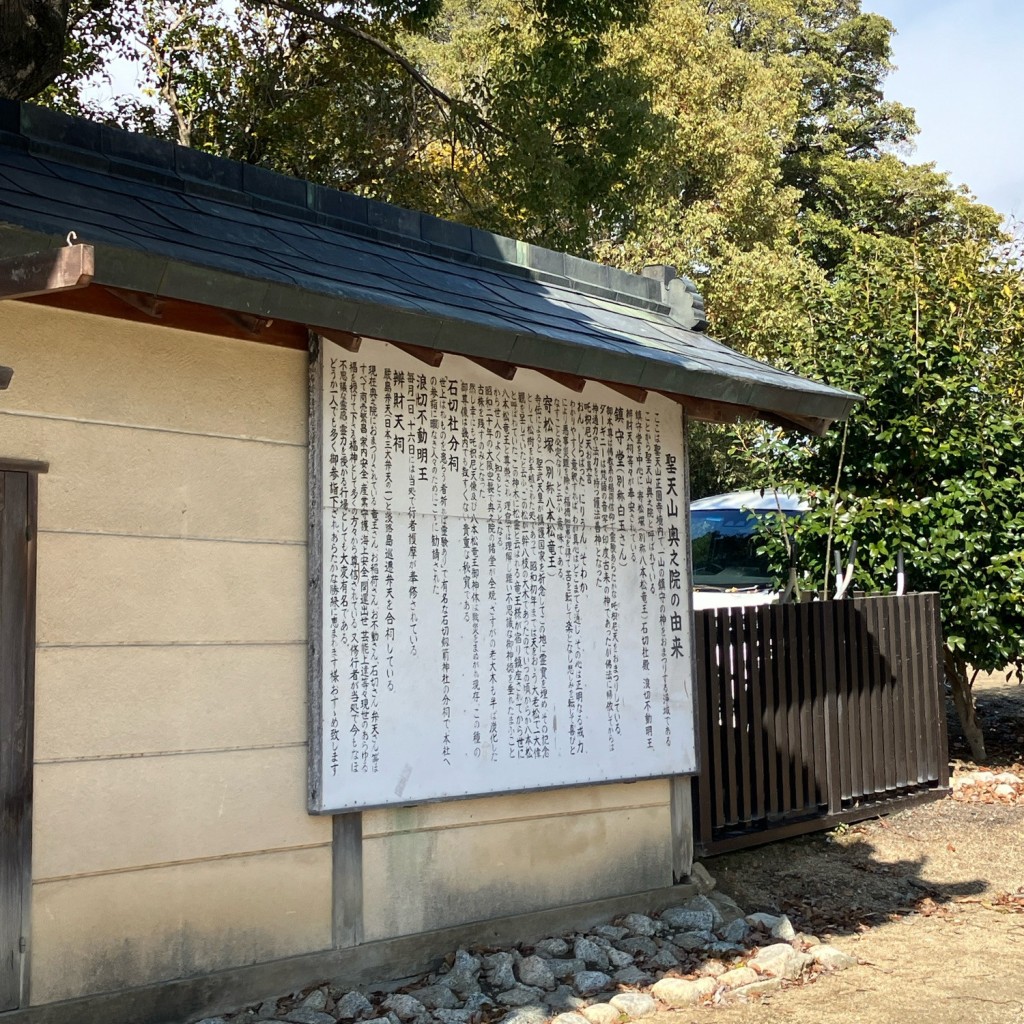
<point>177,224</point>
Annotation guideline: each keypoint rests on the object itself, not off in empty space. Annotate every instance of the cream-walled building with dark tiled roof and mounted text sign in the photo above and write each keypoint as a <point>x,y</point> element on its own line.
<point>164,484</point>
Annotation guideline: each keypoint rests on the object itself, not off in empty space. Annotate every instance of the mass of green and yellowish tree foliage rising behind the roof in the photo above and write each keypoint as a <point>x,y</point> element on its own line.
<point>748,143</point>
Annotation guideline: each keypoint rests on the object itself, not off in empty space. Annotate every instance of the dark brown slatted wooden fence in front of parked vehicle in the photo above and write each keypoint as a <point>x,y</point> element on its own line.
<point>815,714</point>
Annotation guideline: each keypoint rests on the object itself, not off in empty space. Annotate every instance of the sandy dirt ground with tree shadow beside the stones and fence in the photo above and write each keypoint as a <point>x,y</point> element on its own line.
<point>930,901</point>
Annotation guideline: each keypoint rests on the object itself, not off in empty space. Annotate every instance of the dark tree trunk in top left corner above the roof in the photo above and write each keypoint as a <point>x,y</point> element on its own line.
<point>32,46</point>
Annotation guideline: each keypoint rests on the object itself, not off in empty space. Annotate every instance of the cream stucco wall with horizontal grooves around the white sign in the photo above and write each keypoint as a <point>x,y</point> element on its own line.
<point>170,834</point>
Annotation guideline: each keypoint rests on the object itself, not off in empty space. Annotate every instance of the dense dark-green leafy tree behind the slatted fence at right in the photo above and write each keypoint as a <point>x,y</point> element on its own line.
<point>929,329</point>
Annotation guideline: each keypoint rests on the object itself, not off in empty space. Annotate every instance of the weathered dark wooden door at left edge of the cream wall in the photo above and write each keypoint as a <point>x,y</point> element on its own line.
<point>18,501</point>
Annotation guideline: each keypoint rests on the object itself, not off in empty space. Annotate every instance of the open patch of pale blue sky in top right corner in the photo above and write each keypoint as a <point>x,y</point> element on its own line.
<point>962,68</point>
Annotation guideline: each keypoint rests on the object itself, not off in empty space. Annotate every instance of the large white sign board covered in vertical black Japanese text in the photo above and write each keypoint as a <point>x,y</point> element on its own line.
<point>504,602</point>
